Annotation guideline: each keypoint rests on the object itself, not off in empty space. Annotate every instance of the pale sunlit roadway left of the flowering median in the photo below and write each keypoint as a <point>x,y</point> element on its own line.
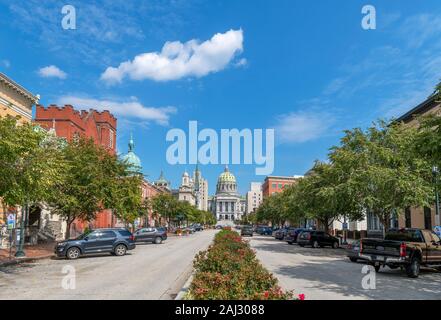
<point>148,272</point>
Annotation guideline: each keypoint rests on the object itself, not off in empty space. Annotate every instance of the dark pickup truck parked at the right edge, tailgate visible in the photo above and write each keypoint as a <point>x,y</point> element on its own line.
<point>405,248</point>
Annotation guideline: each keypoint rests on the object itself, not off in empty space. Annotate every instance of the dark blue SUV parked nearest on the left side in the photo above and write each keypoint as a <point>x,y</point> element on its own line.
<point>114,241</point>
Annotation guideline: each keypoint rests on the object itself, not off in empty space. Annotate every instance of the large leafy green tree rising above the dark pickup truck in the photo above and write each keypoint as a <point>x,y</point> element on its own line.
<point>382,173</point>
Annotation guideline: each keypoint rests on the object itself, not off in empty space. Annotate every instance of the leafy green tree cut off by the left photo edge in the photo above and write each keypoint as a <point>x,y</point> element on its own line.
<point>29,165</point>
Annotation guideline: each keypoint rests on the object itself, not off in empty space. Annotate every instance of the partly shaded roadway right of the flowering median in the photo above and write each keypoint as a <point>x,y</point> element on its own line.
<point>326,274</point>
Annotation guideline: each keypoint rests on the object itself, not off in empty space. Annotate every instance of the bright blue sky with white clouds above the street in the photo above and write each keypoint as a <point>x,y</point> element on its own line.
<point>305,68</point>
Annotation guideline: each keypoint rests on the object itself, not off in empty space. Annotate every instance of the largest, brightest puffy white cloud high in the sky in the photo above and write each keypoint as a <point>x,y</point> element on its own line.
<point>179,60</point>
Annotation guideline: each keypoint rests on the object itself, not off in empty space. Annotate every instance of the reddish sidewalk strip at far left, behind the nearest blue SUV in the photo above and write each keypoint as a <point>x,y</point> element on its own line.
<point>42,251</point>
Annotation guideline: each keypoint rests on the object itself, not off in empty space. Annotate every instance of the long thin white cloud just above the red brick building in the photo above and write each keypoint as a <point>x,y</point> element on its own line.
<point>131,109</point>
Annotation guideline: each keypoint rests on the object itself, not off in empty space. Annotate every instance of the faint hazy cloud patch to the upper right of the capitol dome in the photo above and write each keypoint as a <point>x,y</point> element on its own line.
<point>299,127</point>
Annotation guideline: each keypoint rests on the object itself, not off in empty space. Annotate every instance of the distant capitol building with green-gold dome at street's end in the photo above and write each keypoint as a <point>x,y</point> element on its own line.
<point>227,205</point>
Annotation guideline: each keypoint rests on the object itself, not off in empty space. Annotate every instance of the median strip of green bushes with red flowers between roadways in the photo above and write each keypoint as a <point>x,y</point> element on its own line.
<point>229,270</point>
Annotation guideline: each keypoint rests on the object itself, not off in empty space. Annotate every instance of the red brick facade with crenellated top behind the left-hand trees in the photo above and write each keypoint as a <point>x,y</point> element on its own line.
<point>70,123</point>
